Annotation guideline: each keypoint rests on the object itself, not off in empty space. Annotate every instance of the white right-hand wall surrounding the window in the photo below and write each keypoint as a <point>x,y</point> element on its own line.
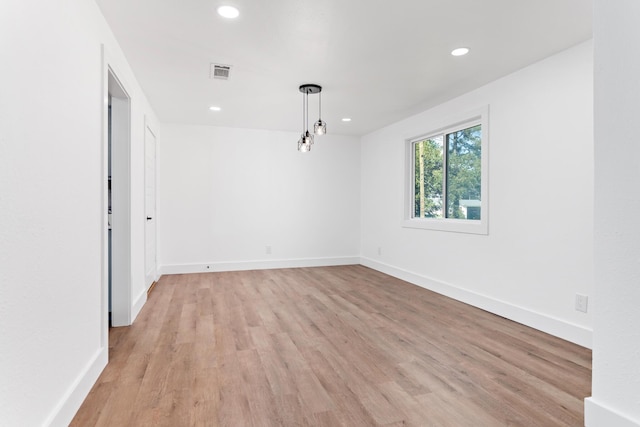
<point>539,250</point>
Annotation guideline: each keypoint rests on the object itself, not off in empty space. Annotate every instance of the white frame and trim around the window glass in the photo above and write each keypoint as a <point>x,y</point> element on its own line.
<point>462,121</point>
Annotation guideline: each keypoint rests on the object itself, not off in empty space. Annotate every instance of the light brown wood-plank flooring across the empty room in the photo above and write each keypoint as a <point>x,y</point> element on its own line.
<point>330,346</point>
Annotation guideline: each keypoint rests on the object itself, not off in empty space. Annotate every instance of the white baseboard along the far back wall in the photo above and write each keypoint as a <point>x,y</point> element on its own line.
<point>257,265</point>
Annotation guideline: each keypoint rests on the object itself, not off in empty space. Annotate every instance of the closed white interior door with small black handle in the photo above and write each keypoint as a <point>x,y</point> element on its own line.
<point>150,206</point>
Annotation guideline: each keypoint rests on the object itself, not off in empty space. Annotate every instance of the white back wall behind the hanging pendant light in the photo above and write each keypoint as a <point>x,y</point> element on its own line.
<point>225,194</point>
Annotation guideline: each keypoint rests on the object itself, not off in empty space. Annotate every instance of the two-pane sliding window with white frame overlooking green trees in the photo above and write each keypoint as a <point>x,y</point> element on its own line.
<point>447,172</point>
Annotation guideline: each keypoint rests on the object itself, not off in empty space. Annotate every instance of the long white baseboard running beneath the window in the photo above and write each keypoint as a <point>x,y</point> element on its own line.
<point>568,331</point>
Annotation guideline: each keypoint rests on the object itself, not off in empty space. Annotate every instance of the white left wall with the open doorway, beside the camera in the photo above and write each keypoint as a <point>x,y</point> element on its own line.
<point>51,304</point>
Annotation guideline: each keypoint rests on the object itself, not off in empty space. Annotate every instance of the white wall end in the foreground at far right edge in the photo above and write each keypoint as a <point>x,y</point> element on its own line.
<point>615,397</point>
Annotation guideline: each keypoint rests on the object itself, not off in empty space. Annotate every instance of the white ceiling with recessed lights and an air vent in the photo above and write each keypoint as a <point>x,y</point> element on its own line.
<point>378,60</point>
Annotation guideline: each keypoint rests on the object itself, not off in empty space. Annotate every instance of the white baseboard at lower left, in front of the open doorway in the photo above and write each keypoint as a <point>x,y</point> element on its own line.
<point>69,404</point>
